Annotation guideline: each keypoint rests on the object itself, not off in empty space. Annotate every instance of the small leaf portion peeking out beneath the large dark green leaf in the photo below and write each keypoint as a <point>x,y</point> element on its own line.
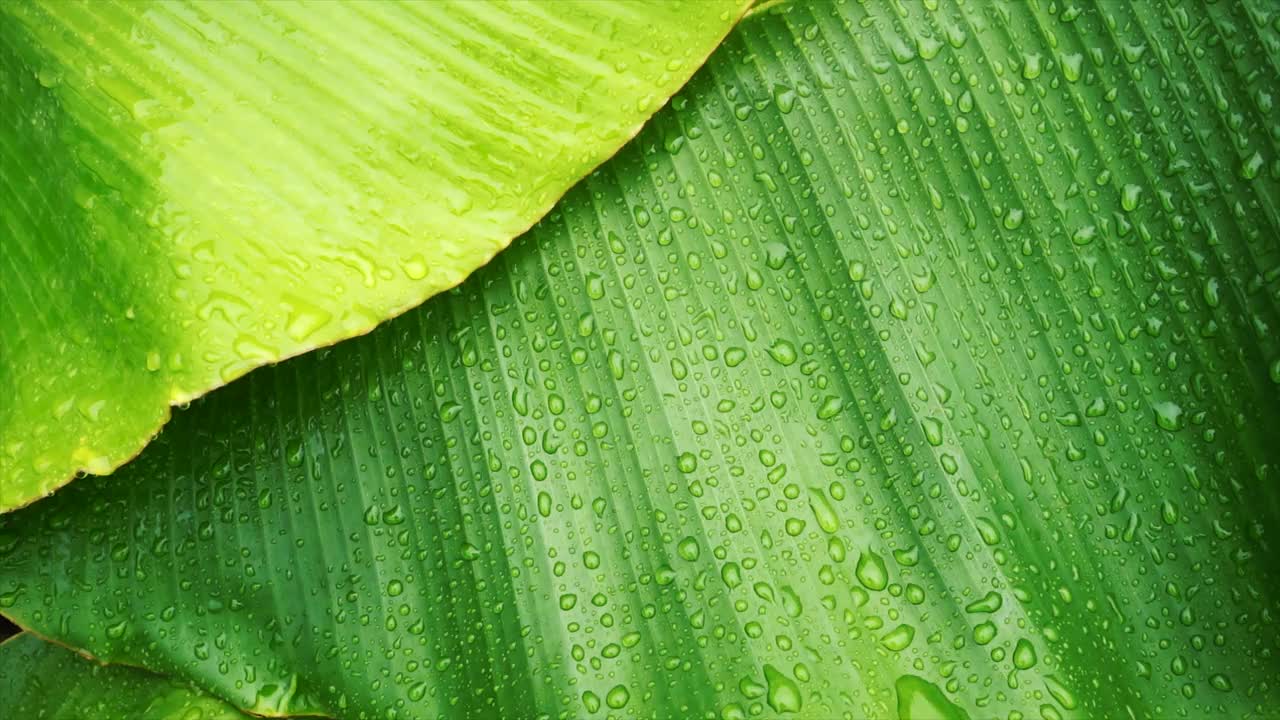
<point>48,682</point>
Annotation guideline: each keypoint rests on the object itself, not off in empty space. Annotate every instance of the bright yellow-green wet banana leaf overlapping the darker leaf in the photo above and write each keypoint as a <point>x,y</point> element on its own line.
<point>198,189</point>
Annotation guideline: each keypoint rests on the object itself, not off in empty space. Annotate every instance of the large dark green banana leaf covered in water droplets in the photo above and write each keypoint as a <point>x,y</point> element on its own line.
<point>915,363</point>
